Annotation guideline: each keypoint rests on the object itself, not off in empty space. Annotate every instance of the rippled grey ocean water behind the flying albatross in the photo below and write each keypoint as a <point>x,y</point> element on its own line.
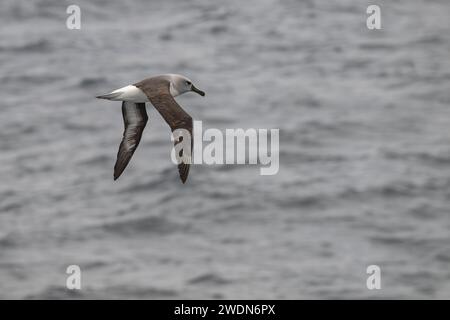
<point>364,151</point>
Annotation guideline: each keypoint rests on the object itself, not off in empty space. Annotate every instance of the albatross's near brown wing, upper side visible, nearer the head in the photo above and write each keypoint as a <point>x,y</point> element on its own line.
<point>158,92</point>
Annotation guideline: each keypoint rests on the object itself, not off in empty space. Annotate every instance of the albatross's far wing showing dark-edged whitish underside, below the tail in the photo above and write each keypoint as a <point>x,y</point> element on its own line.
<point>134,119</point>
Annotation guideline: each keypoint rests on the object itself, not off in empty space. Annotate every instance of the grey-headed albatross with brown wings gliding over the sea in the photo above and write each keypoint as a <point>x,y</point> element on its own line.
<point>160,92</point>
